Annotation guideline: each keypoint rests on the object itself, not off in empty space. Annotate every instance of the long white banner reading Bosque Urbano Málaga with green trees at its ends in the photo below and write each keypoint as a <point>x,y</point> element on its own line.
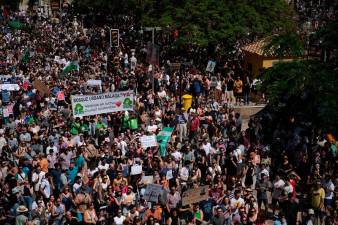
<point>87,105</point>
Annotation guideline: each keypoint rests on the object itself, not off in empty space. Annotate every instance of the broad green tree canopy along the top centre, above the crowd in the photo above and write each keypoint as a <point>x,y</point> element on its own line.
<point>203,22</point>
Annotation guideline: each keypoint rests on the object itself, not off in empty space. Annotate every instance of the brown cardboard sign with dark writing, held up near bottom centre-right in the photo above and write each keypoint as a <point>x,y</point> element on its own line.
<point>195,195</point>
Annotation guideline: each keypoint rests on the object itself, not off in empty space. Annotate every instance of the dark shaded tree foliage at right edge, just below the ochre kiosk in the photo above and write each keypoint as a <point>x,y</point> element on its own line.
<point>308,89</point>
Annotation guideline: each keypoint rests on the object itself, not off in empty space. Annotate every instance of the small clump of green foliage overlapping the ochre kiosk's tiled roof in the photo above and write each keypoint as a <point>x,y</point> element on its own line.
<point>288,44</point>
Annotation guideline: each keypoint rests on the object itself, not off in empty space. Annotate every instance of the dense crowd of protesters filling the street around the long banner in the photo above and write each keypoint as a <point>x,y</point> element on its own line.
<point>62,169</point>
